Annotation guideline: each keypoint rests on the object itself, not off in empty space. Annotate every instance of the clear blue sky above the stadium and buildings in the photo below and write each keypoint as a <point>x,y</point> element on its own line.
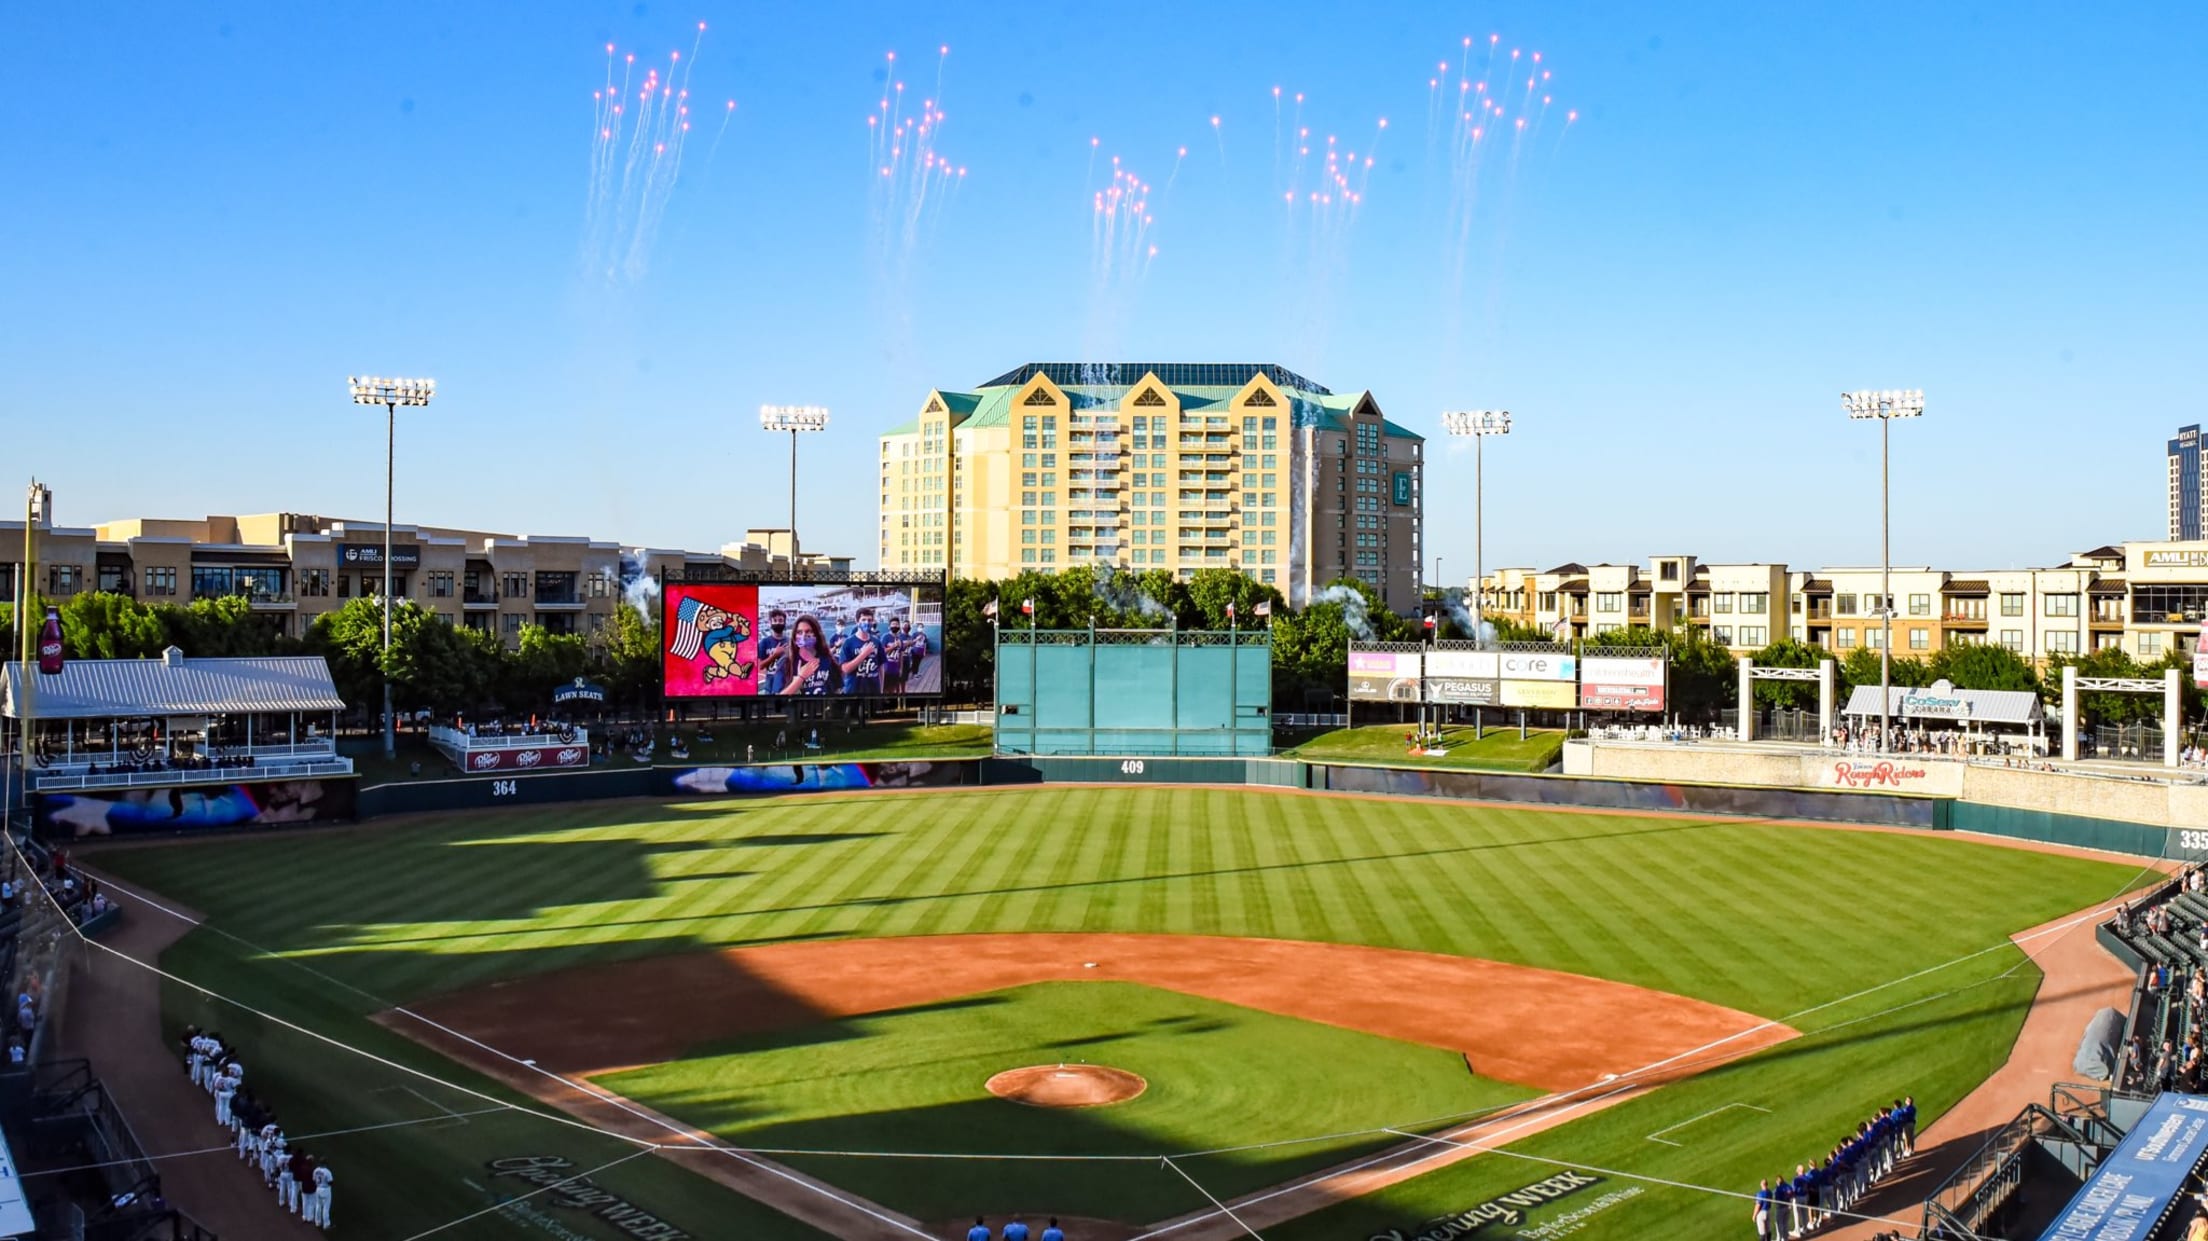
<point>217,211</point>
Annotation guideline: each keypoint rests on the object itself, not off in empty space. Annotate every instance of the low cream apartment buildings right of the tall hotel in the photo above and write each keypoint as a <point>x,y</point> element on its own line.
<point>2143,597</point>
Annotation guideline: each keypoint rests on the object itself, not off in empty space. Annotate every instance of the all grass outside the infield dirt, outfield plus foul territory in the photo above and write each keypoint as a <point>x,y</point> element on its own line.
<point>1772,920</point>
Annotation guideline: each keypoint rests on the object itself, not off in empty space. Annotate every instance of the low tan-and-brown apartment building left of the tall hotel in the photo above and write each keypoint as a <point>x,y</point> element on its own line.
<point>297,566</point>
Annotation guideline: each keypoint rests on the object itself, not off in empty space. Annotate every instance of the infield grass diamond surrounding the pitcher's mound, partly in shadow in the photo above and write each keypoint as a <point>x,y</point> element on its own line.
<point>913,1081</point>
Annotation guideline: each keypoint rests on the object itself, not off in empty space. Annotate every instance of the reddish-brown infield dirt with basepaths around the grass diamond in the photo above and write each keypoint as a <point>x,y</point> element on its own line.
<point>1589,1041</point>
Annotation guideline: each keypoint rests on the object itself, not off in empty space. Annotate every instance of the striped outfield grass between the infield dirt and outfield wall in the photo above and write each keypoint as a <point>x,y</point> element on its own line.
<point>1721,911</point>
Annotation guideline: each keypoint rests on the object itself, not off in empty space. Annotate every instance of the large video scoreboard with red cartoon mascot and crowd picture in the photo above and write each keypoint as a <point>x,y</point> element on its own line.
<point>803,641</point>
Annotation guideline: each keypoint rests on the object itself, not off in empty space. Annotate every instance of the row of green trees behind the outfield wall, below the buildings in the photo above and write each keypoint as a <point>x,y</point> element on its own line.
<point>454,668</point>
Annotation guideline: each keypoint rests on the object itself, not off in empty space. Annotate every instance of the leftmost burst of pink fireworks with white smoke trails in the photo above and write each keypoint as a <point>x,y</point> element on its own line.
<point>641,129</point>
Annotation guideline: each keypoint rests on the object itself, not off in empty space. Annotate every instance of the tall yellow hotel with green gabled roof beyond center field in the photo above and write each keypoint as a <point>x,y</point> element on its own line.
<point>1158,467</point>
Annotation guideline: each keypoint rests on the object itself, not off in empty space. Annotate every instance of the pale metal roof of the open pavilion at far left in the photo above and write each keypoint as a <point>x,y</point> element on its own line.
<point>173,686</point>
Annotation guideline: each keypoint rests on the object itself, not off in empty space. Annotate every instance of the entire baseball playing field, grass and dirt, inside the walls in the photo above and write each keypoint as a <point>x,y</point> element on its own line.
<point>1238,990</point>
